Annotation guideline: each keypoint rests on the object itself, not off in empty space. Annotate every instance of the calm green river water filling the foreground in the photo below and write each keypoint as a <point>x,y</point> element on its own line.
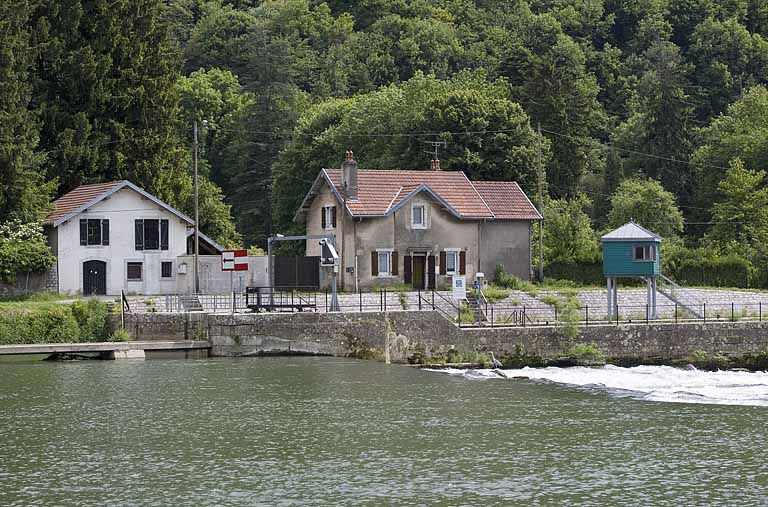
<point>323,431</point>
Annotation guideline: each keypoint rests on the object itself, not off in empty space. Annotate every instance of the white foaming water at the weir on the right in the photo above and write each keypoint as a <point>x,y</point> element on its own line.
<point>652,383</point>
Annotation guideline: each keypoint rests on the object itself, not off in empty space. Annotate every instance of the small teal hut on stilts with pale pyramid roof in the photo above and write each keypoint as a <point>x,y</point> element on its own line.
<point>631,251</point>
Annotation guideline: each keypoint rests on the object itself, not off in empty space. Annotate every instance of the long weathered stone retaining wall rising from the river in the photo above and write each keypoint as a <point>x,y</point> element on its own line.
<point>405,332</point>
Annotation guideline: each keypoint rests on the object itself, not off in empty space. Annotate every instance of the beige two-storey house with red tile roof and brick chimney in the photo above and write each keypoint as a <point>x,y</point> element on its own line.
<point>420,228</point>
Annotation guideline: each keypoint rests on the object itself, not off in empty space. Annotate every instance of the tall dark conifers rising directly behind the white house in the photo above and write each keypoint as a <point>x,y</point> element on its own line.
<point>105,89</point>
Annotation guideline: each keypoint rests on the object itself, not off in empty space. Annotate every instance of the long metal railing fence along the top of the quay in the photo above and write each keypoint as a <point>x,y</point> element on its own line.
<point>465,314</point>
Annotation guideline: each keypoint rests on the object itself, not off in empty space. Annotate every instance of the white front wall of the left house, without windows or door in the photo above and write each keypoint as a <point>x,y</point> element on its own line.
<point>122,208</point>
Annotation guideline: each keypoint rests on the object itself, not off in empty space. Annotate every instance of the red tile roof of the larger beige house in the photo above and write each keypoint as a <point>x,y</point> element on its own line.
<point>379,191</point>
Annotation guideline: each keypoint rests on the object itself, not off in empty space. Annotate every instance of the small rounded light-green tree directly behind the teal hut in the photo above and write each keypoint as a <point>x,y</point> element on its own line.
<point>646,203</point>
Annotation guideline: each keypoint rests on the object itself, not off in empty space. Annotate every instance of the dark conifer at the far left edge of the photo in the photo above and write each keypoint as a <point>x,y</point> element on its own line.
<point>24,195</point>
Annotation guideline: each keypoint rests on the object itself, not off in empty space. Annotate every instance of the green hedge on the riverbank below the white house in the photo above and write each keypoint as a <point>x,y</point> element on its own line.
<point>53,323</point>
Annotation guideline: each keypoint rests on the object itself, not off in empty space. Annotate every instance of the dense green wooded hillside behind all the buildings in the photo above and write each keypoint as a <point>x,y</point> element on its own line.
<point>652,110</point>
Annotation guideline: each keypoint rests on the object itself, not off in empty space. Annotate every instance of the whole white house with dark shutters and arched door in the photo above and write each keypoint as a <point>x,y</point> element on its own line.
<point>111,237</point>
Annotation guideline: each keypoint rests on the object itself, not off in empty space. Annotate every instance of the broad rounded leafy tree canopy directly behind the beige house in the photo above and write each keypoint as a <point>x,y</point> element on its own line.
<point>487,134</point>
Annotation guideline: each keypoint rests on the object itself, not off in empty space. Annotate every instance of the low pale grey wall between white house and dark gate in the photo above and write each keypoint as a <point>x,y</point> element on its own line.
<point>215,281</point>
